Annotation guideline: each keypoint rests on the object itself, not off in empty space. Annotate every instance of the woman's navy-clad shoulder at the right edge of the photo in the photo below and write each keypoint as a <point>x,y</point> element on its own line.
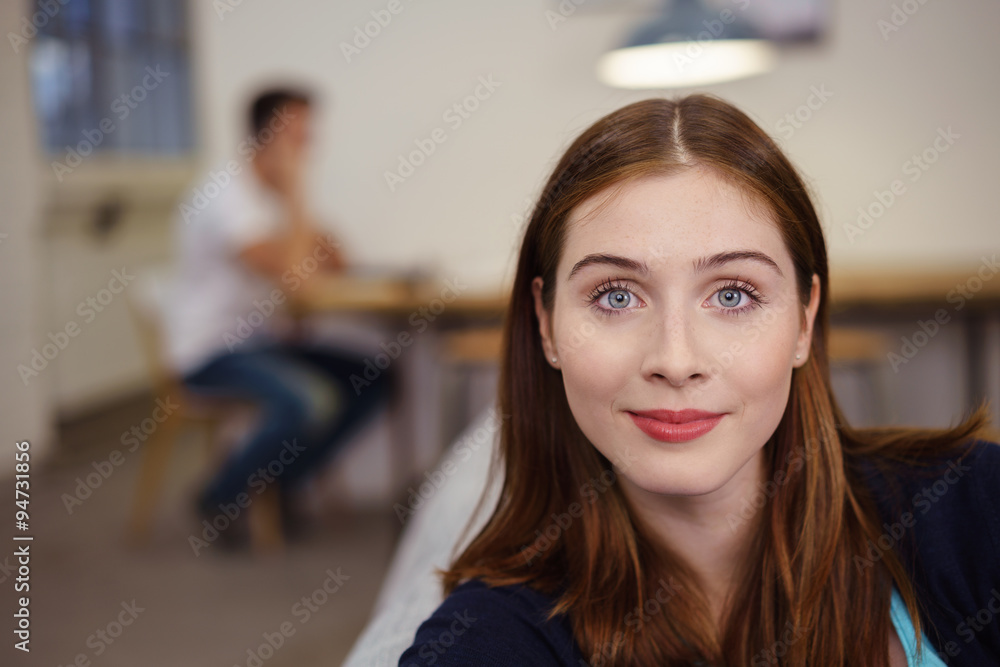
<point>943,520</point>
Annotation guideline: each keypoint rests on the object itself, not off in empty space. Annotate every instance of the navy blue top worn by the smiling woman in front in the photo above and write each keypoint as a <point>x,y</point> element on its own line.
<point>943,522</point>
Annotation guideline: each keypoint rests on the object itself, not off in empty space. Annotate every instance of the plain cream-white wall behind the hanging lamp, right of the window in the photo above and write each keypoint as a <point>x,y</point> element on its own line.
<point>889,97</point>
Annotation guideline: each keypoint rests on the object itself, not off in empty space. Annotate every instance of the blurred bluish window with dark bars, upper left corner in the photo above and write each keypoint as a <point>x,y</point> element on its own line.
<point>112,76</point>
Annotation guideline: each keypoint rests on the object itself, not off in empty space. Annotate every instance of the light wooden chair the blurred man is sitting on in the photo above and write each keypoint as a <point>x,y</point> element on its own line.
<point>145,302</point>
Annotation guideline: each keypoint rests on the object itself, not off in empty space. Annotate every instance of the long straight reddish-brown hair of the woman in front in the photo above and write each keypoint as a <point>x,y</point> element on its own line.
<point>562,525</point>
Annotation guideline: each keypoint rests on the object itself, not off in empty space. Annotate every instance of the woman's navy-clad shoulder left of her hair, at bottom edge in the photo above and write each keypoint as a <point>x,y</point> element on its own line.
<point>493,626</point>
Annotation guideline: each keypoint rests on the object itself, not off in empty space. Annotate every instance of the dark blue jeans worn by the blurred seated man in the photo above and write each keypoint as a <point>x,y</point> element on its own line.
<point>307,405</point>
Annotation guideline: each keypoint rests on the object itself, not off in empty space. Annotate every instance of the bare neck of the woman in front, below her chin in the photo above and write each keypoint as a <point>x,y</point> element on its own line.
<point>712,533</point>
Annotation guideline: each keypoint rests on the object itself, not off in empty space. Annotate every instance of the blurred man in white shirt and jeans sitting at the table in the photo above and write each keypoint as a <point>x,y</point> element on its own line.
<point>244,246</point>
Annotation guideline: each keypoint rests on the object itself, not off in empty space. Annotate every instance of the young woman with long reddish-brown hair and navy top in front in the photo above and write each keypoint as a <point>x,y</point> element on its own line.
<point>680,486</point>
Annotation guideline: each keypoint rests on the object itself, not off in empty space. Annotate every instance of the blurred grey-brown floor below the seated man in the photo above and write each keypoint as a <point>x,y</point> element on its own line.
<point>93,595</point>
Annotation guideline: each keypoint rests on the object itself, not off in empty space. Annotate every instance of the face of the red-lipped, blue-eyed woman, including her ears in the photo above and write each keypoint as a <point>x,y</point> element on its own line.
<point>676,296</point>
